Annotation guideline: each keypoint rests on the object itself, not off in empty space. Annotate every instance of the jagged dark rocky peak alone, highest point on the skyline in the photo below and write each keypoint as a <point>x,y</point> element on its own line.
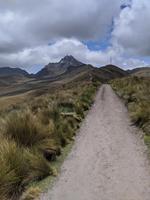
<point>55,69</point>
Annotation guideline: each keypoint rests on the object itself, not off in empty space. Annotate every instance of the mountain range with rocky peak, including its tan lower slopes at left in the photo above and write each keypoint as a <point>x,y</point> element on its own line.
<point>68,70</point>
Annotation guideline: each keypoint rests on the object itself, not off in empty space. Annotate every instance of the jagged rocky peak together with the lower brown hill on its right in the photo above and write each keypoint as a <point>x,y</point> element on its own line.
<point>70,68</point>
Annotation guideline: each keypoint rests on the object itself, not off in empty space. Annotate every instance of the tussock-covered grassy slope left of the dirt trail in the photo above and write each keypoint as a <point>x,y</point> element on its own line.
<point>34,133</point>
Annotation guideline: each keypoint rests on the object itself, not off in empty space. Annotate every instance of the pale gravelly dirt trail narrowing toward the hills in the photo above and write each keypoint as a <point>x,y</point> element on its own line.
<point>108,160</point>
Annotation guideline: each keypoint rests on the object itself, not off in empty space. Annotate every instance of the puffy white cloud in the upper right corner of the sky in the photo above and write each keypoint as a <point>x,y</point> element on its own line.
<point>132,28</point>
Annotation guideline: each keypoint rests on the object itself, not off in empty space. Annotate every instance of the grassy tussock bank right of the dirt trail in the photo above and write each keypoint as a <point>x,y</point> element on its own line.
<point>136,93</point>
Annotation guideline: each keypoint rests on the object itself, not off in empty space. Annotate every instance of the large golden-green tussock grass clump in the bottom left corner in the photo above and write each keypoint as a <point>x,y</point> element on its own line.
<point>18,167</point>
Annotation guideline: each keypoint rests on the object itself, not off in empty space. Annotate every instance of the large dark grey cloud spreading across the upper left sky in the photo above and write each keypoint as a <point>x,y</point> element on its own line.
<point>29,23</point>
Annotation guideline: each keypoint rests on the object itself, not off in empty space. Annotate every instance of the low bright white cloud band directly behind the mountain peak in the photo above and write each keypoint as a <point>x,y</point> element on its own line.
<point>32,59</point>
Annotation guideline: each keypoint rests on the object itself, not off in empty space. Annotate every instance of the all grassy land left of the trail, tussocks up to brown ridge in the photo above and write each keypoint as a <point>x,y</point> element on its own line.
<point>38,118</point>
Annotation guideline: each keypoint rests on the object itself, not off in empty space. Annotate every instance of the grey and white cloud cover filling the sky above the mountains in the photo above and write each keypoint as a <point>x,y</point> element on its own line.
<point>28,26</point>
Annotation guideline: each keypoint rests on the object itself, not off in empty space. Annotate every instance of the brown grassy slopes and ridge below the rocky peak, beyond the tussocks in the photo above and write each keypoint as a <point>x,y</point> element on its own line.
<point>17,86</point>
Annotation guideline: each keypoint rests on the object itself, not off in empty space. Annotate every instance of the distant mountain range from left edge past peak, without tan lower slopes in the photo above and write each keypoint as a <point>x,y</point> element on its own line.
<point>67,67</point>
